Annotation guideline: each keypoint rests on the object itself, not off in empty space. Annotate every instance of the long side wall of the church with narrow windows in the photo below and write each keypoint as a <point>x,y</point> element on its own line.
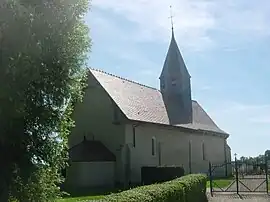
<point>174,149</point>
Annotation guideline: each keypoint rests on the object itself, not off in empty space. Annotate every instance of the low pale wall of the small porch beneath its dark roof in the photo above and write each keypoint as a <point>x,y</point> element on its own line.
<point>91,174</point>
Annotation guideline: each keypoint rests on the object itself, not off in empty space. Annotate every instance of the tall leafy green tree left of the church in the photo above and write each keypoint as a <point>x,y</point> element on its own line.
<point>43,49</point>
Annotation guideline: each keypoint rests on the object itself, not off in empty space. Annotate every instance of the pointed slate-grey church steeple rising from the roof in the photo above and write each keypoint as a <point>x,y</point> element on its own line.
<point>175,85</point>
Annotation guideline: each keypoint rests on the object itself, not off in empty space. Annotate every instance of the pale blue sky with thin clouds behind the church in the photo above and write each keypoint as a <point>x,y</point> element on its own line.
<point>225,45</point>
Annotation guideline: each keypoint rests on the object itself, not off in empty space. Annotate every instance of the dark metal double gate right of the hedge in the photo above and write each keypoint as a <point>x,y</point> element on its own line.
<point>239,177</point>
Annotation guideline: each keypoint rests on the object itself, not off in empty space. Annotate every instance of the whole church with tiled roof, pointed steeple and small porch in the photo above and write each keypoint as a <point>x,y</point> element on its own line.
<point>122,125</point>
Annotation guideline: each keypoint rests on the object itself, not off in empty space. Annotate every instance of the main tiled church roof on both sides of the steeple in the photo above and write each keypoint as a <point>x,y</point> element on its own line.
<point>143,103</point>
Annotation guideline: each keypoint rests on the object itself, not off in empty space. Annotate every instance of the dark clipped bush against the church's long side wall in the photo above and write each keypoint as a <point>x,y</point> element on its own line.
<point>151,175</point>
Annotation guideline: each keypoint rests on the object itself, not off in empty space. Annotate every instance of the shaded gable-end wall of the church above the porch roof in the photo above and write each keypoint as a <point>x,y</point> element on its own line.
<point>94,119</point>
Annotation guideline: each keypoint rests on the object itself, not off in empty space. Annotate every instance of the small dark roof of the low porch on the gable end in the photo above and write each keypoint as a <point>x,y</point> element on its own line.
<point>90,151</point>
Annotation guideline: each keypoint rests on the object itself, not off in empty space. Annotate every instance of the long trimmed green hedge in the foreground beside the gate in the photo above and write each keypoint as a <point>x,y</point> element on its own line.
<point>190,188</point>
